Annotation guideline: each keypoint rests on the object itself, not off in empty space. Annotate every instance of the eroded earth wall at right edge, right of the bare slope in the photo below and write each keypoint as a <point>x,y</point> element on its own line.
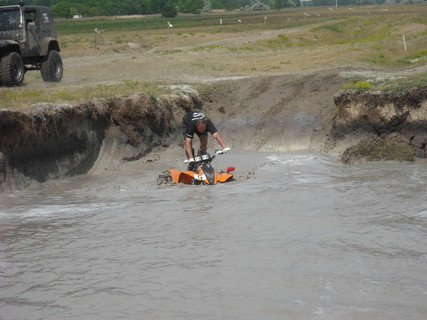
<point>395,116</point>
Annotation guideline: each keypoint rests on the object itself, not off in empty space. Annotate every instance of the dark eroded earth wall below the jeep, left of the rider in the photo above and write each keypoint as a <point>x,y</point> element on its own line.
<point>54,141</point>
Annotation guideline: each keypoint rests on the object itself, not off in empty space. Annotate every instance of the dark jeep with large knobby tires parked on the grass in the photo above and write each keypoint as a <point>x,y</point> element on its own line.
<point>28,42</point>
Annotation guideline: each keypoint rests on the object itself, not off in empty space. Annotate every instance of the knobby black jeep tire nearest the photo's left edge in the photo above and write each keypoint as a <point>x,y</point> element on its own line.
<point>12,69</point>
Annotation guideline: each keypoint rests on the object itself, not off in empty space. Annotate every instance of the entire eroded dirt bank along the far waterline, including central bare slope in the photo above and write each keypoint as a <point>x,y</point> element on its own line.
<point>266,113</point>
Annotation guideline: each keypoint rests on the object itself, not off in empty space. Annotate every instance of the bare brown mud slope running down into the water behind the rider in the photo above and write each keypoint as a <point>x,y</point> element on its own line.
<point>277,113</point>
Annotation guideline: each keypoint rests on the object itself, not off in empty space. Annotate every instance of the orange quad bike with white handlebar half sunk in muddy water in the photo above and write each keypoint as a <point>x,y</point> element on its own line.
<point>203,172</point>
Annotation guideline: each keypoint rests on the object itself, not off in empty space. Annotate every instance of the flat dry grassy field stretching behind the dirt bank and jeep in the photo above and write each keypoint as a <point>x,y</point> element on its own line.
<point>382,47</point>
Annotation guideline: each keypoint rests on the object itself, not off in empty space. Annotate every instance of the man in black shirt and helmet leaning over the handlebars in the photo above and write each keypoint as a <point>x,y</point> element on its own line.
<point>197,123</point>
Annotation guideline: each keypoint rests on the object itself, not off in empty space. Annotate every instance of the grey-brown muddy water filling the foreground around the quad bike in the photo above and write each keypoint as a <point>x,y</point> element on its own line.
<point>298,236</point>
